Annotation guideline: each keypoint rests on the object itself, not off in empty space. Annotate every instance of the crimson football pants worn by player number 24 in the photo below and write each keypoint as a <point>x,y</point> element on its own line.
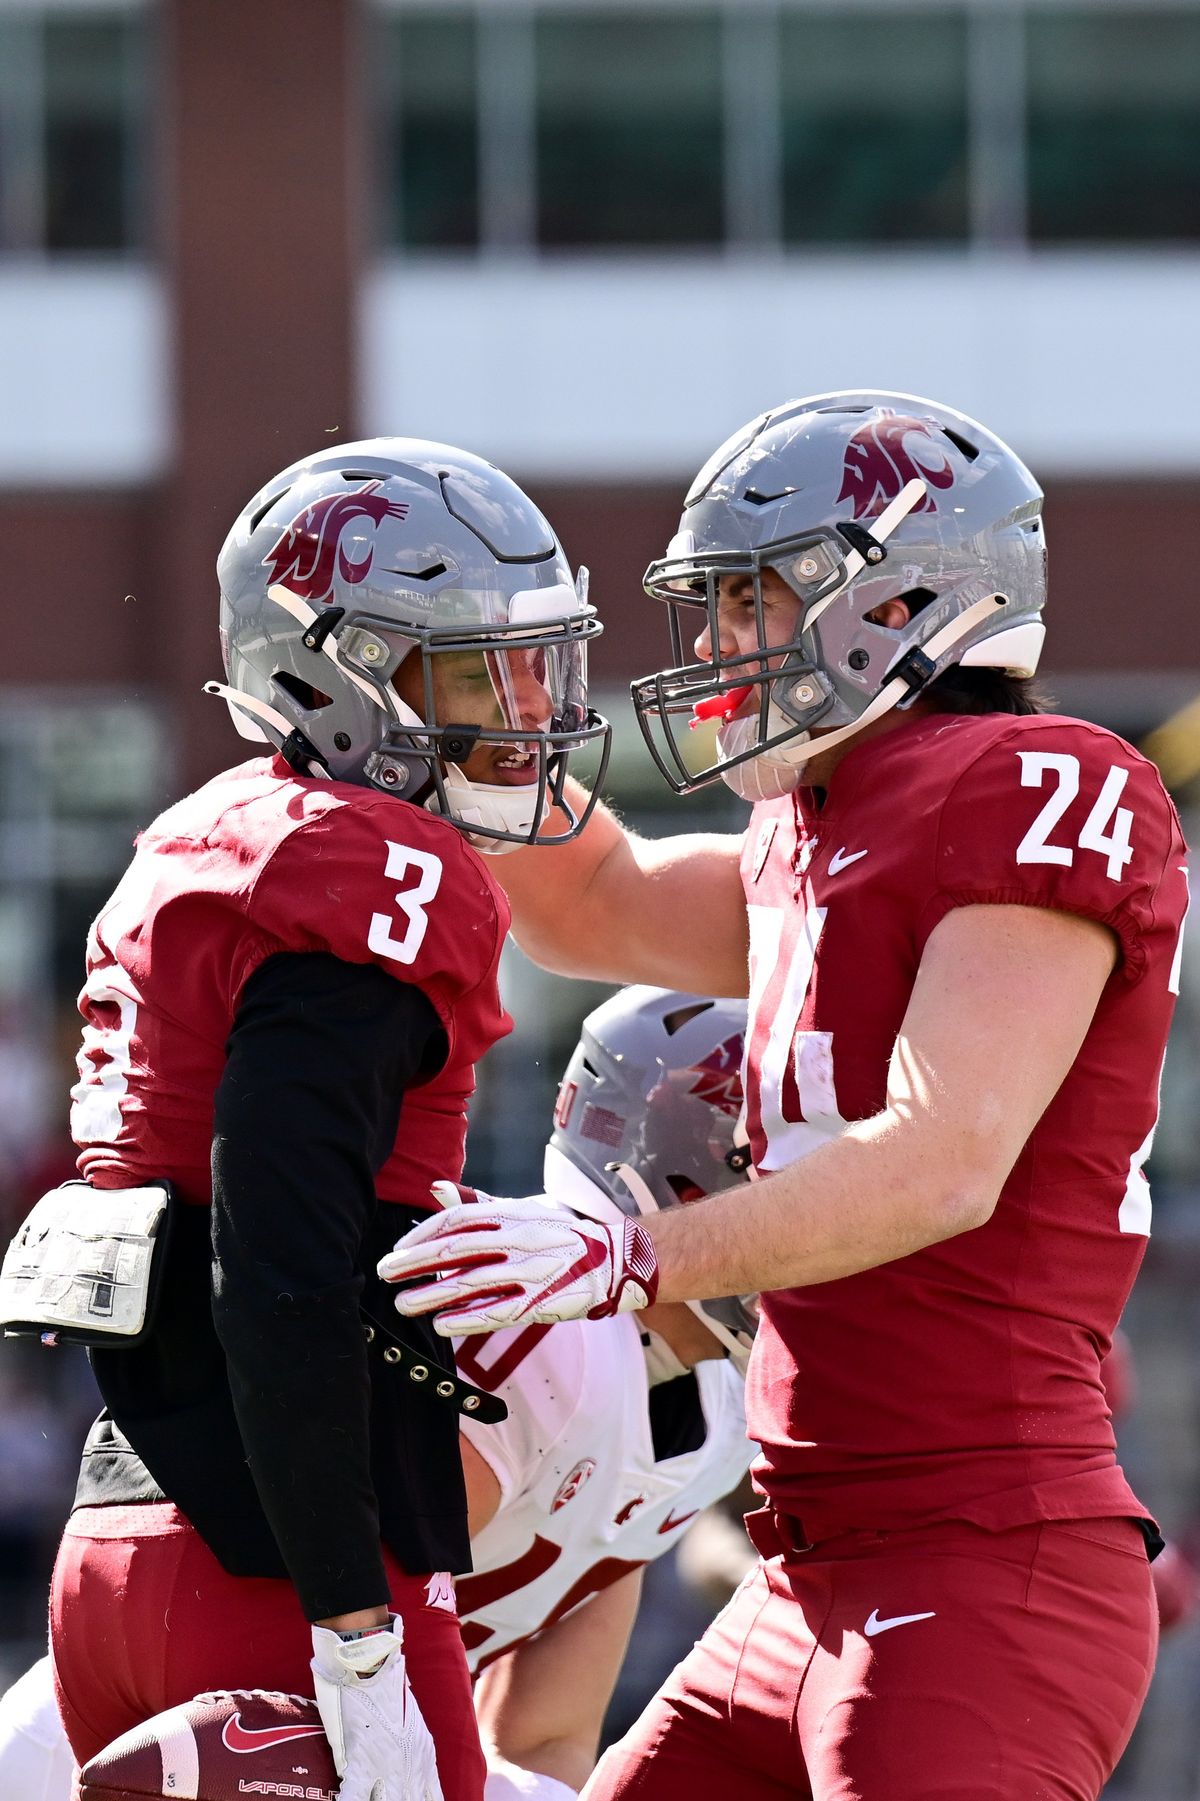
<point>934,1665</point>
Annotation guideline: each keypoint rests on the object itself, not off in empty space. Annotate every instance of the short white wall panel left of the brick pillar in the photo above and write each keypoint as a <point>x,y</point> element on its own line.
<point>84,374</point>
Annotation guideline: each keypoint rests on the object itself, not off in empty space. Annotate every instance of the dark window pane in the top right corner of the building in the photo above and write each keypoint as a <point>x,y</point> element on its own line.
<point>1114,125</point>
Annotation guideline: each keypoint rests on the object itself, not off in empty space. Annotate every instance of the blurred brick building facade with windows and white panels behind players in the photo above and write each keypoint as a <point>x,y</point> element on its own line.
<point>586,239</point>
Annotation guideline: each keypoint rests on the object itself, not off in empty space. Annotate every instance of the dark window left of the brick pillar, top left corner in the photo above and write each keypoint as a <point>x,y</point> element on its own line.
<point>73,98</point>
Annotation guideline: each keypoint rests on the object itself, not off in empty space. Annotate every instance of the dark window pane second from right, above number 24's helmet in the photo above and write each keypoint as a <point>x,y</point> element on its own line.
<point>875,134</point>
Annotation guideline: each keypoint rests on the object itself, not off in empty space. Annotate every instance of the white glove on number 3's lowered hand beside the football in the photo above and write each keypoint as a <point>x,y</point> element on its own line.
<point>383,1750</point>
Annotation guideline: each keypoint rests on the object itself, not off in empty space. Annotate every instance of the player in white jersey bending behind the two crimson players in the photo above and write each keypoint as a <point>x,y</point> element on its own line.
<point>610,1447</point>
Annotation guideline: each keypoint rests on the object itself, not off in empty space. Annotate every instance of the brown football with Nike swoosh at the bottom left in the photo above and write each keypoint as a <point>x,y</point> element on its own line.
<point>219,1748</point>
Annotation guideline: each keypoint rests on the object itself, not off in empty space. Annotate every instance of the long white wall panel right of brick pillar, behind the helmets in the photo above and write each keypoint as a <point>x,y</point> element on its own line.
<point>610,368</point>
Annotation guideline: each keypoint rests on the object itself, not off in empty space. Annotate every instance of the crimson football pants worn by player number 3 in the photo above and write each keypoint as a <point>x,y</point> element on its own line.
<point>143,1618</point>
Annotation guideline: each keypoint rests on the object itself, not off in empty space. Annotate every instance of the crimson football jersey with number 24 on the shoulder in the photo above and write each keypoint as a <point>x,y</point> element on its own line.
<point>961,1382</point>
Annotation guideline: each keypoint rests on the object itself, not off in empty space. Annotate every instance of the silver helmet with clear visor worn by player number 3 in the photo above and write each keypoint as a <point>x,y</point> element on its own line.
<point>367,556</point>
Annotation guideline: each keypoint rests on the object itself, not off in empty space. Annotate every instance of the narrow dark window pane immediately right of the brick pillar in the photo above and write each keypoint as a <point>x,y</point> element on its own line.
<point>432,134</point>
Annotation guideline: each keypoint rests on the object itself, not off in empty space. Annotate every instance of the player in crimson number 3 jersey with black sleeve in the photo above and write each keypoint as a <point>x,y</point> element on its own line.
<point>286,1000</point>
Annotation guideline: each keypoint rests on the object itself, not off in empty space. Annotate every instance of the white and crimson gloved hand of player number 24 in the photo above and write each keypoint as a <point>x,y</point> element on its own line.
<point>486,1263</point>
